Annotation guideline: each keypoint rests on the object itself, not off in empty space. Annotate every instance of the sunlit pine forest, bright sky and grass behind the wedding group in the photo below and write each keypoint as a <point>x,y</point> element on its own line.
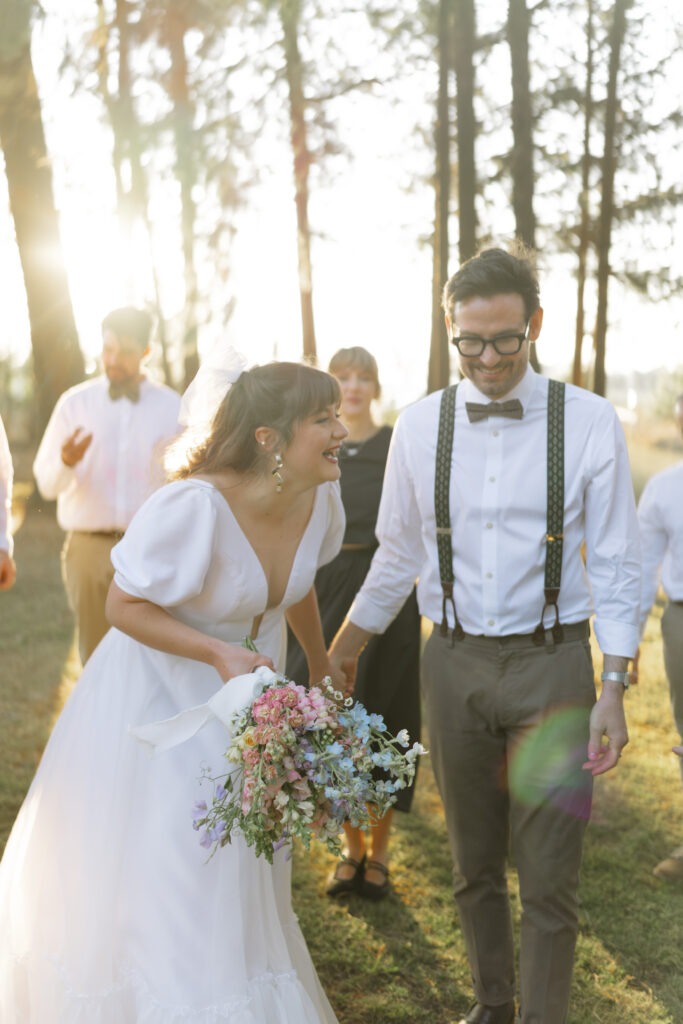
<point>303,175</point>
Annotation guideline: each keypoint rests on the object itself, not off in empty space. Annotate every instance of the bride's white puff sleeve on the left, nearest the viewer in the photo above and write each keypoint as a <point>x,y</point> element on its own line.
<point>167,551</point>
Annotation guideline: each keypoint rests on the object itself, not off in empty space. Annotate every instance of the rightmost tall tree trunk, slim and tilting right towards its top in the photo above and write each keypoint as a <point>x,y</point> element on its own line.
<point>609,168</point>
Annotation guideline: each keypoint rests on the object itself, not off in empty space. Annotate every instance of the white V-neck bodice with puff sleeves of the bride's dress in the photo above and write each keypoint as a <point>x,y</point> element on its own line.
<point>187,552</point>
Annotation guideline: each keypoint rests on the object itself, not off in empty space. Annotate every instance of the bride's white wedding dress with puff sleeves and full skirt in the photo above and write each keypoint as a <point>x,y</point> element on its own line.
<point>110,911</point>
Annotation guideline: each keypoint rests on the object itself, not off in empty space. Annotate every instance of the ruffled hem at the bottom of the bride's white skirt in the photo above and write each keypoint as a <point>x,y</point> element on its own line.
<point>268,999</point>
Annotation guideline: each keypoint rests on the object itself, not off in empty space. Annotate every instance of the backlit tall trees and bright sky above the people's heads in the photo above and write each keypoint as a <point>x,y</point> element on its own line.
<point>303,175</point>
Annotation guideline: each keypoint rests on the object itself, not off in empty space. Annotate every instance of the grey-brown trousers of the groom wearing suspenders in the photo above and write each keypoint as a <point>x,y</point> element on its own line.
<point>508,732</point>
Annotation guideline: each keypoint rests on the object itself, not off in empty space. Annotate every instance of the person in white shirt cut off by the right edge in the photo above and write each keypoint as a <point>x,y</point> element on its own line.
<point>661,523</point>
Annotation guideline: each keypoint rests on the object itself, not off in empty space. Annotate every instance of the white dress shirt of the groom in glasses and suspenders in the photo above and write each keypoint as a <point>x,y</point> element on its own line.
<point>498,519</point>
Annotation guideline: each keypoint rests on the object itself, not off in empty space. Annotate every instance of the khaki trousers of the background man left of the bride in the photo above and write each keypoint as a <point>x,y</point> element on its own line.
<point>88,573</point>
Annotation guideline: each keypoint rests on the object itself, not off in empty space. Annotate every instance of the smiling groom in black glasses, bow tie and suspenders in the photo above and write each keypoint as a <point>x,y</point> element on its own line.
<point>516,732</point>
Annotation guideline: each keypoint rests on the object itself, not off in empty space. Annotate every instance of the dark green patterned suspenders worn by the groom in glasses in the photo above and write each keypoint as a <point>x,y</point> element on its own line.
<point>554,519</point>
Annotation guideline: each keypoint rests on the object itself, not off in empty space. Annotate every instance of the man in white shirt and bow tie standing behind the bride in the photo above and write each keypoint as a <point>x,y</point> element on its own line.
<point>101,458</point>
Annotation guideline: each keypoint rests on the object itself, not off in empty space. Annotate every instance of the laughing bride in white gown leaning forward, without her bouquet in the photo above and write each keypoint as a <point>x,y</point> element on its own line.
<point>111,912</point>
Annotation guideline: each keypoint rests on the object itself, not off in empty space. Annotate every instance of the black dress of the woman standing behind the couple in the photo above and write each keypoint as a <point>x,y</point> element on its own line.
<point>389,679</point>
